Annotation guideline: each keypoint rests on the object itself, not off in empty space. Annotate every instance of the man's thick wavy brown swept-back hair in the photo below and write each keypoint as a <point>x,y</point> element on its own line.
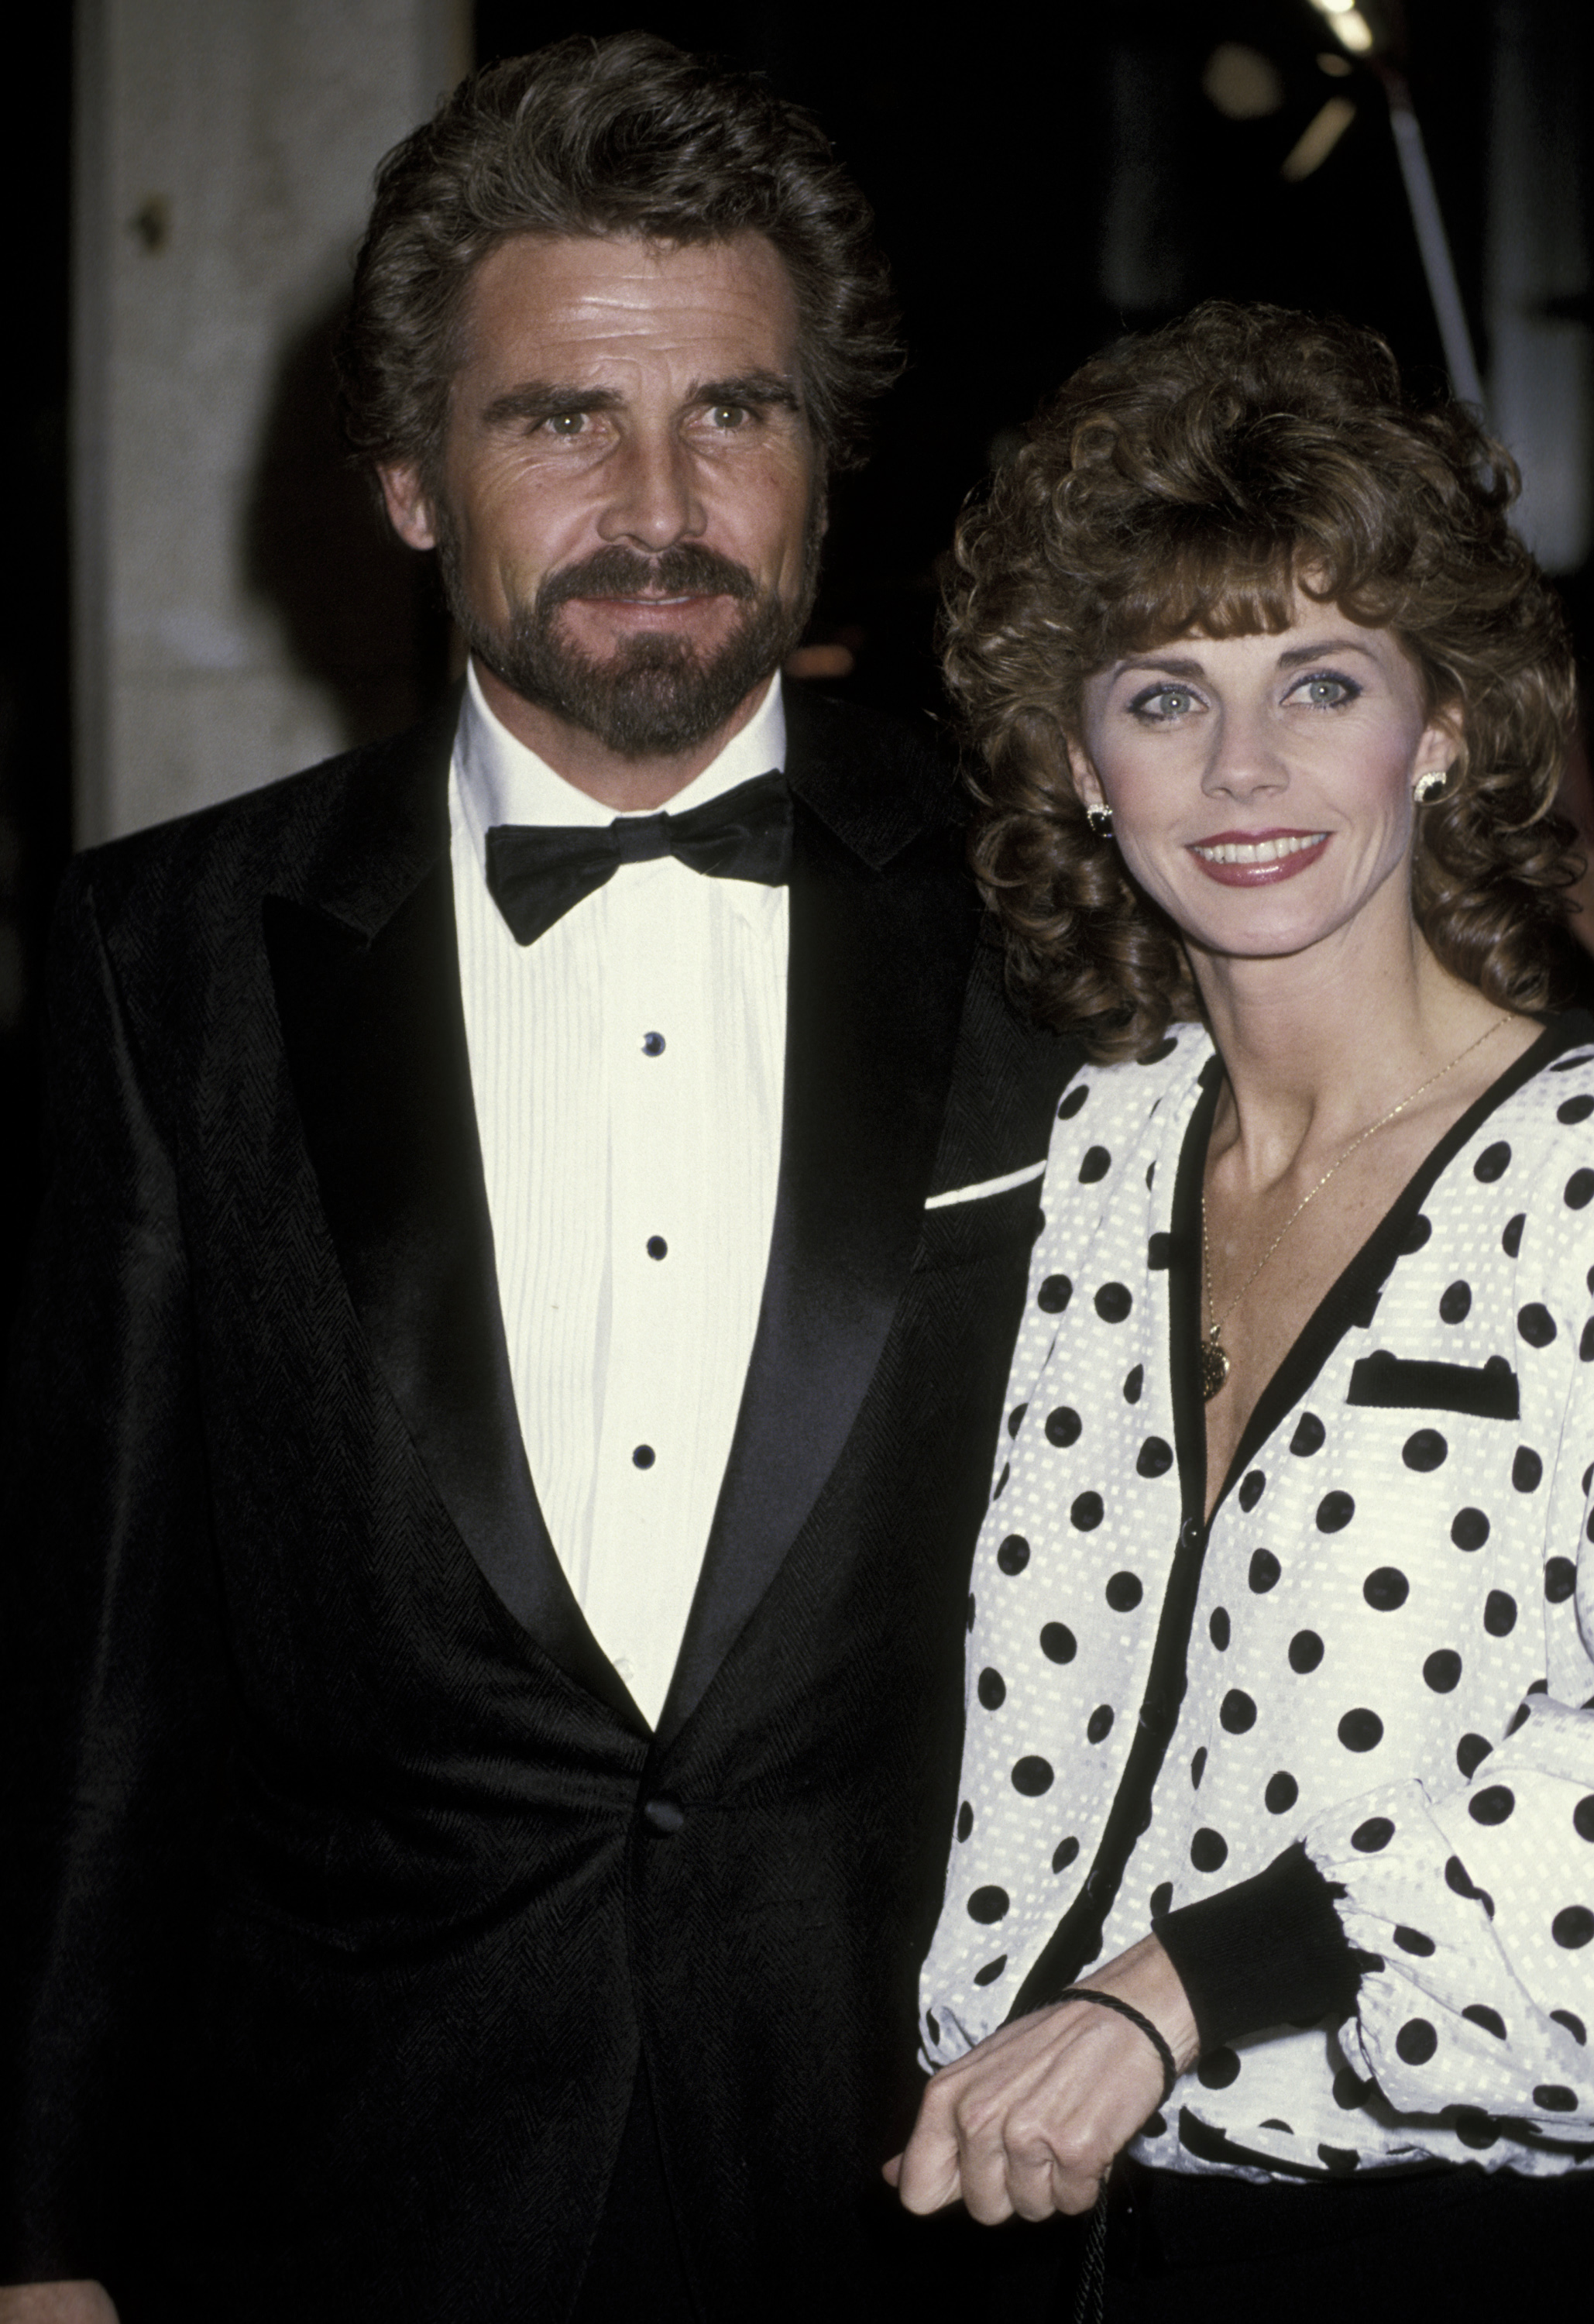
<point>624,136</point>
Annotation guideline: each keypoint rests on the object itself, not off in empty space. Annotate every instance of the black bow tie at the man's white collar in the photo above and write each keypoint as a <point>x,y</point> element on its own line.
<point>540,873</point>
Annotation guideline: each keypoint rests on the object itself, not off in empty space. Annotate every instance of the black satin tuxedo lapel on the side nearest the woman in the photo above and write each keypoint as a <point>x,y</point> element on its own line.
<point>879,963</point>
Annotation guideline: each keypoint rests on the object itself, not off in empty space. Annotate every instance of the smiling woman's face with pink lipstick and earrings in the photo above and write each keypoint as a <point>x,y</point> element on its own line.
<point>1263,787</point>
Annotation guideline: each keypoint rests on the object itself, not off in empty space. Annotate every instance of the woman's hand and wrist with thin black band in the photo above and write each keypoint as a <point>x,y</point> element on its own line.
<point>1033,2118</point>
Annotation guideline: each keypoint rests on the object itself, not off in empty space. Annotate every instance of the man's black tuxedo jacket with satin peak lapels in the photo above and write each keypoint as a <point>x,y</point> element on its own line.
<point>347,1886</point>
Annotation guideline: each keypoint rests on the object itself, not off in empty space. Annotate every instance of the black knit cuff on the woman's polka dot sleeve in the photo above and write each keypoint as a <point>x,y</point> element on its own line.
<point>1265,1953</point>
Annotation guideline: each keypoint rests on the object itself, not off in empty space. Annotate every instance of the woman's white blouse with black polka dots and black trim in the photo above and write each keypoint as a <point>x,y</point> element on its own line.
<point>1379,1656</point>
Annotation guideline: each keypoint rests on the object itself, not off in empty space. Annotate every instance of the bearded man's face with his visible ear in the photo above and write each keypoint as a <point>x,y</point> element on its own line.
<point>629,503</point>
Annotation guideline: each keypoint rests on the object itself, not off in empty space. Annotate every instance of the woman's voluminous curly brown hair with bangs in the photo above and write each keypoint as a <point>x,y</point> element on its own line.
<point>1195,480</point>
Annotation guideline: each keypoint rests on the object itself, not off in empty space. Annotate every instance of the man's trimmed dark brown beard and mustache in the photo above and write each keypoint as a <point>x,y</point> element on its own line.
<point>654,696</point>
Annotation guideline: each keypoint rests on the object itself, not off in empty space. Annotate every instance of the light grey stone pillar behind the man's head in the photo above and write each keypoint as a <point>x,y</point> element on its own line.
<point>238,615</point>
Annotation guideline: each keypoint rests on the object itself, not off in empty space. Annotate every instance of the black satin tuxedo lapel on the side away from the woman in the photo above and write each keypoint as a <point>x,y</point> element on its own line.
<point>375,1038</point>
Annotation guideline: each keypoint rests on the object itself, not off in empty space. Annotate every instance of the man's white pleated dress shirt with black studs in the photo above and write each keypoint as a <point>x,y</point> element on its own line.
<point>629,1079</point>
